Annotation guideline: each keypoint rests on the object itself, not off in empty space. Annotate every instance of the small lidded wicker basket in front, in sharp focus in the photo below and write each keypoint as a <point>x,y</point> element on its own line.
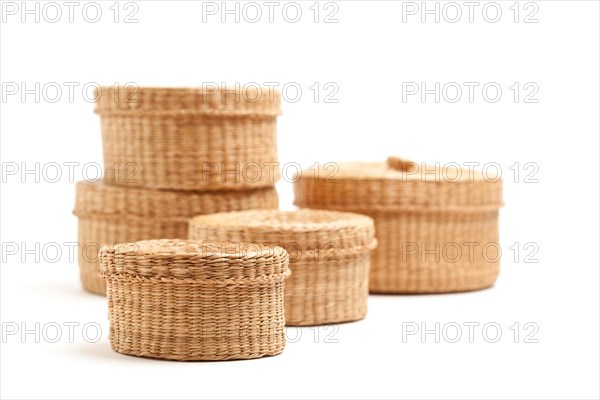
<point>184,300</point>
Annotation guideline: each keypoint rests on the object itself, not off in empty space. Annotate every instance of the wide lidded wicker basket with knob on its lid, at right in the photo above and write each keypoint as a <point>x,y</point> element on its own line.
<point>436,226</point>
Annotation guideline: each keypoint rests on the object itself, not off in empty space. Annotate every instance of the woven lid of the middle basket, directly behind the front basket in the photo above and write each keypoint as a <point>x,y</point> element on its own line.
<point>301,232</point>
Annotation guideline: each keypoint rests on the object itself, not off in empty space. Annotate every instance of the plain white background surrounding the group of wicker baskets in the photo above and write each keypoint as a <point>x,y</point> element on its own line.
<point>368,54</point>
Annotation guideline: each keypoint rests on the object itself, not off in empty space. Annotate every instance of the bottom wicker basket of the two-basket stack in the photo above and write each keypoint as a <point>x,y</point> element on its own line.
<point>112,214</point>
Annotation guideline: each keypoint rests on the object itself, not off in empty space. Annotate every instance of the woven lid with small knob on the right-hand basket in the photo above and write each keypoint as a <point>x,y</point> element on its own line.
<point>398,185</point>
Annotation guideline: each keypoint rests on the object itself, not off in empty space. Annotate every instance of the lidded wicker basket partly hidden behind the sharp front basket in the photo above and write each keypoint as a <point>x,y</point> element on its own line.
<point>329,257</point>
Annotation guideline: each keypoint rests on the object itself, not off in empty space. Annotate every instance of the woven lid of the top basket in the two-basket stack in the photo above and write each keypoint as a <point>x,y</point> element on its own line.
<point>249,101</point>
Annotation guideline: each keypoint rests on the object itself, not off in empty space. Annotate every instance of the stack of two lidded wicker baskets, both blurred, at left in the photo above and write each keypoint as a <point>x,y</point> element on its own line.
<point>169,155</point>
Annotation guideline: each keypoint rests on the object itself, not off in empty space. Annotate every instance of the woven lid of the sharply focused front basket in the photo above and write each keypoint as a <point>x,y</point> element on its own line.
<point>210,262</point>
